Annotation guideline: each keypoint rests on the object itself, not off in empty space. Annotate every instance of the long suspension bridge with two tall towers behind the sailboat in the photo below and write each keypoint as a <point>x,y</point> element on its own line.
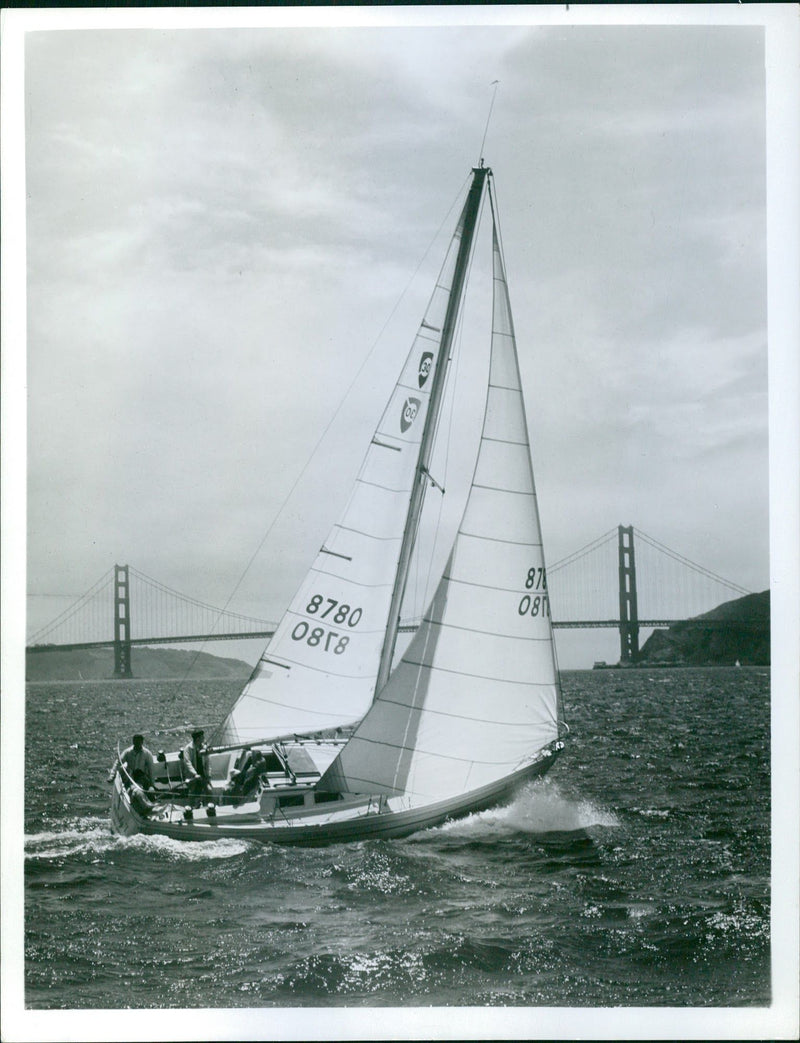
<point>615,581</point>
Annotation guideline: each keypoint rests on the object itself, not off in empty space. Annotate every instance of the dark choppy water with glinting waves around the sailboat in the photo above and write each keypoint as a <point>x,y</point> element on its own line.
<point>638,874</point>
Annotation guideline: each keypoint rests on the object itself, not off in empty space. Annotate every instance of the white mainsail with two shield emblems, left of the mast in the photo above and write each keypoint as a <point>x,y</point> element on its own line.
<point>320,670</point>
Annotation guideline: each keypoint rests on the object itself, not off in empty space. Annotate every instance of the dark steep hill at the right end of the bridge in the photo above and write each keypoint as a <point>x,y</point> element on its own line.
<point>745,637</point>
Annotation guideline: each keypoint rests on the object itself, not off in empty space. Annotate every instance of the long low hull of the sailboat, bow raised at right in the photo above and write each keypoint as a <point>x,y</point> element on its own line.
<point>356,820</point>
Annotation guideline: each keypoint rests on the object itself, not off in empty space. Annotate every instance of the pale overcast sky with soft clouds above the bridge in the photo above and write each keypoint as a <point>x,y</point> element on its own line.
<point>221,223</point>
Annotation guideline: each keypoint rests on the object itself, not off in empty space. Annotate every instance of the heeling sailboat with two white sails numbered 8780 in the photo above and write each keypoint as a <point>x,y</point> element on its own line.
<point>338,736</point>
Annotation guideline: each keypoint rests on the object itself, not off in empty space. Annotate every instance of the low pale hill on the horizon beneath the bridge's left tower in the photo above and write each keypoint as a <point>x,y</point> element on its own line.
<point>155,664</point>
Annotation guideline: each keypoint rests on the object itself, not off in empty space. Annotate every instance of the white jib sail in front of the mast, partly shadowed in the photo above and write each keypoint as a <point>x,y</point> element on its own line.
<point>476,695</point>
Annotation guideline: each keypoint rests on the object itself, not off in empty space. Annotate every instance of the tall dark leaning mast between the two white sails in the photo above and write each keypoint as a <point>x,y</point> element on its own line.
<point>469,223</point>
